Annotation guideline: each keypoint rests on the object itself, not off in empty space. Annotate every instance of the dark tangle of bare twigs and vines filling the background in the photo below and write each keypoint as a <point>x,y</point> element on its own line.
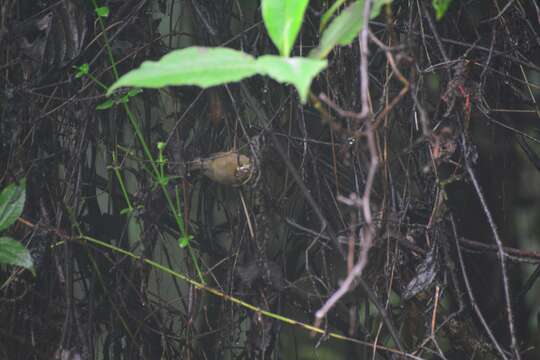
<point>453,120</point>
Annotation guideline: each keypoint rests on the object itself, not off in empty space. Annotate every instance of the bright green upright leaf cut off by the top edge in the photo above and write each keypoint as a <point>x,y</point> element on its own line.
<point>283,19</point>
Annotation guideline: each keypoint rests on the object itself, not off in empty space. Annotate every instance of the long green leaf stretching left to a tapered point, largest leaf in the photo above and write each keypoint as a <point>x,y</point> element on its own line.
<point>204,67</point>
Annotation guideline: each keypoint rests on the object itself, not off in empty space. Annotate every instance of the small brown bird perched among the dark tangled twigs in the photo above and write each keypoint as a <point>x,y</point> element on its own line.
<point>227,168</point>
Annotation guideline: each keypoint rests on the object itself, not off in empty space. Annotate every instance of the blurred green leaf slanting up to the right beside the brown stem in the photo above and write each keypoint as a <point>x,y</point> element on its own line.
<point>345,27</point>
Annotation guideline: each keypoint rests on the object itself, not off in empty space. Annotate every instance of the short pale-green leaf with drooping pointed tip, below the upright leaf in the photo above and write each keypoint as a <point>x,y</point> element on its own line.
<point>297,71</point>
